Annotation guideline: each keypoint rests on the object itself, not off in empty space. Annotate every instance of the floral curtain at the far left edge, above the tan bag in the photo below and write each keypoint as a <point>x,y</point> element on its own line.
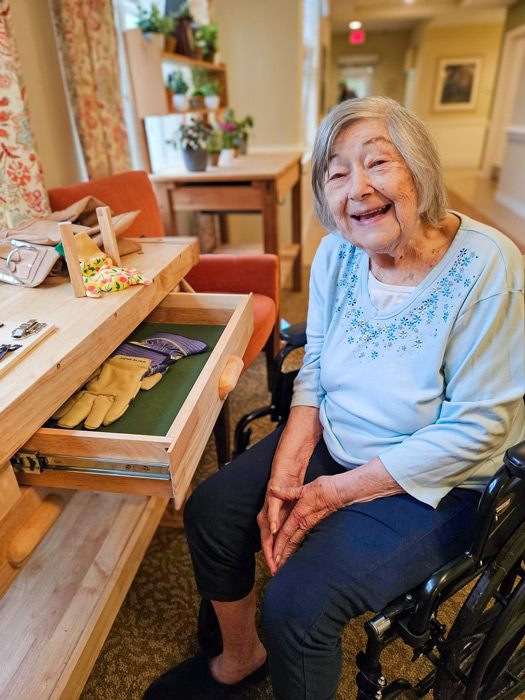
<point>22,193</point>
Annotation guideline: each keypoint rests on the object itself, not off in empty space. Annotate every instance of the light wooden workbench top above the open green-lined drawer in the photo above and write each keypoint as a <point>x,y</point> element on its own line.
<point>86,331</point>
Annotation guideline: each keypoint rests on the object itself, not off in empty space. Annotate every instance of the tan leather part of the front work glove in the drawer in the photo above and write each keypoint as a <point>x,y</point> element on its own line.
<point>106,396</point>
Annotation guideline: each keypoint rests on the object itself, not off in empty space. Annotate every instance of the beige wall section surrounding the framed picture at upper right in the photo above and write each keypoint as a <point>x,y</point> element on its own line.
<point>460,134</point>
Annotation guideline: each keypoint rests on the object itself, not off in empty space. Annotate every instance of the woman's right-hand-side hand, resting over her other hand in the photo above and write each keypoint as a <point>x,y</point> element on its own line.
<point>307,505</point>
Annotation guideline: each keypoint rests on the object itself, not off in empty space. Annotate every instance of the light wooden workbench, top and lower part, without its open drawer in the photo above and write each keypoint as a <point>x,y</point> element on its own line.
<point>55,615</point>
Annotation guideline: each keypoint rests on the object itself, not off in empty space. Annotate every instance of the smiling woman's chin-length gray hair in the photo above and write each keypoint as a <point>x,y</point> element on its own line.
<point>412,139</point>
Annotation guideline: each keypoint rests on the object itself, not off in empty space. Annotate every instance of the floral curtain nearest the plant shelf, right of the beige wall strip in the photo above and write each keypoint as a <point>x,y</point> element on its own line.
<point>87,42</point>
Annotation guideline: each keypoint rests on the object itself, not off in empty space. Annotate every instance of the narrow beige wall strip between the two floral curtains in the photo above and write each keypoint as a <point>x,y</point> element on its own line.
<point>50,122</point>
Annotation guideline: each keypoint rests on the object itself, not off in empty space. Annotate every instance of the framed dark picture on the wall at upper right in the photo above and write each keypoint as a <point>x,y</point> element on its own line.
<point>457,84</point>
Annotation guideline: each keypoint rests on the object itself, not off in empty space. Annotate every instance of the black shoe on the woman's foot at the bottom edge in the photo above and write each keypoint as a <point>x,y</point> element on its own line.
<point>193,680</point>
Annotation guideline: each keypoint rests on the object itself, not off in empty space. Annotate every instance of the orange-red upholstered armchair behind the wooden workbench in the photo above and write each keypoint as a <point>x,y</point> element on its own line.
<point>234,274</point>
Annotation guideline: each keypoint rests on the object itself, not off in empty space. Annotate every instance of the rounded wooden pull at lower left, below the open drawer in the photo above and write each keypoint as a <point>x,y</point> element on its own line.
<point>33,530</point>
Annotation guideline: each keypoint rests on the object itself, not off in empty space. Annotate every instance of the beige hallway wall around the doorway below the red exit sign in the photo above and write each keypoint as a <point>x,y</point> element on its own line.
<point>390,47</point>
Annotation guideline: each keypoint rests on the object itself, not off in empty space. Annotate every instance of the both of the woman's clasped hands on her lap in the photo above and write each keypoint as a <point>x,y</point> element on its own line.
<point>290,511</point>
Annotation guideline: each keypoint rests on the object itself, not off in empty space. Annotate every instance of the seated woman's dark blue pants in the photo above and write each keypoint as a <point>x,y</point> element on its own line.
<point>357,559</point>
